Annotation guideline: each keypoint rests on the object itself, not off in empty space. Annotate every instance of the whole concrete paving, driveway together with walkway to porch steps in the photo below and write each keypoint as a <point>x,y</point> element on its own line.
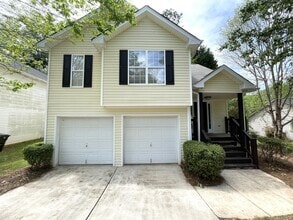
<point>145,192</point>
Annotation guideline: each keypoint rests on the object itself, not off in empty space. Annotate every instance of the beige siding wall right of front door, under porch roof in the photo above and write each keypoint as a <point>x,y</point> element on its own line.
<point>219,111</point>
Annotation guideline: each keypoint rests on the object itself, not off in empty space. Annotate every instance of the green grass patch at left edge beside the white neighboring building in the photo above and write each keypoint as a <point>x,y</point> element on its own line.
<point>11,157</point>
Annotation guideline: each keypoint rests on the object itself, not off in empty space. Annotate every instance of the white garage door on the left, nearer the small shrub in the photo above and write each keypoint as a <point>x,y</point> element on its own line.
<point>86,141</point>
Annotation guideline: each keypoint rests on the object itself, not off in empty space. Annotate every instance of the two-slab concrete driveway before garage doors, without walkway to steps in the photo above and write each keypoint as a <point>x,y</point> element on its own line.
<point>106,192</point>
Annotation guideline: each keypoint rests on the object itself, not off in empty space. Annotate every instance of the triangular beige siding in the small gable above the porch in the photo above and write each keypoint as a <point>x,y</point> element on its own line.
<point>222,83</point>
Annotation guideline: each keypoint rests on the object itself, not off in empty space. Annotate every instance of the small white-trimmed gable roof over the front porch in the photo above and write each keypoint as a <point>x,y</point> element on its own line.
<point>246,84</point>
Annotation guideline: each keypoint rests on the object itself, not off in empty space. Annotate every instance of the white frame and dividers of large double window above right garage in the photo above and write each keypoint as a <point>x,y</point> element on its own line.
<point>147,70</point>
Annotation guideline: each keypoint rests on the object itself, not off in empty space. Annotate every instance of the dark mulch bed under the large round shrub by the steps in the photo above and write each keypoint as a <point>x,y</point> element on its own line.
<point>196,181</point>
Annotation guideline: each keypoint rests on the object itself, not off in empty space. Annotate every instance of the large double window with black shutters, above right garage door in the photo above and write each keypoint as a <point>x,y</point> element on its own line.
<point>146,67</point>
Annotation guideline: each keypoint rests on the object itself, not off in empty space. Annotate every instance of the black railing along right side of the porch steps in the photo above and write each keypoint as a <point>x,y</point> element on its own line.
<point>247,142</point>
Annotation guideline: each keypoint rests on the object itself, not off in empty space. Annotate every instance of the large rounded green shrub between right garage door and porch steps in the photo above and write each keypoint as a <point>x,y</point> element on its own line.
<point>203,160</point>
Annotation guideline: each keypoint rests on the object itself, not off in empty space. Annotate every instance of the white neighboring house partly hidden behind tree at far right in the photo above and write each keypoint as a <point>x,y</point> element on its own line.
<point>262,121</point>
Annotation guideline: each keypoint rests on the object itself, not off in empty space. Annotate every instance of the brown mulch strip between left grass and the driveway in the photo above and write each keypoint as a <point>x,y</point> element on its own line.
<point>19,178</point>
